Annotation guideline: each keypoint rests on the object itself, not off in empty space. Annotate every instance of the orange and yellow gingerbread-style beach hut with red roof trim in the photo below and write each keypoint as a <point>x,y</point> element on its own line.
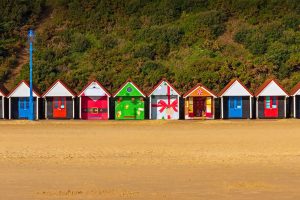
<point>199,103</point>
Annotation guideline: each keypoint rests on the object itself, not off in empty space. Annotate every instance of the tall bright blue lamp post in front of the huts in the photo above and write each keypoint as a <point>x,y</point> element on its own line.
<point>30,38</point>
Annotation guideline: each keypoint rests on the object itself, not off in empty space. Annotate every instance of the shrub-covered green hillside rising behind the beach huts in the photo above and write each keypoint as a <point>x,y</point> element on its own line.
<point>186,41</point>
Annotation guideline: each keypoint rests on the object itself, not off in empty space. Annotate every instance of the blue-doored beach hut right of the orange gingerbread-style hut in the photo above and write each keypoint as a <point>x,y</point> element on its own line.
<point>236,101</point>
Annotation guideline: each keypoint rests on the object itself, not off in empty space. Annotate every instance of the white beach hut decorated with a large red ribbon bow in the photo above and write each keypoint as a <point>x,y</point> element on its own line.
<point>164,101</point>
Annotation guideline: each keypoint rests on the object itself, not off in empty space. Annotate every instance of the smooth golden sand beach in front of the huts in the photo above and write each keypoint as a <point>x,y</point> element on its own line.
<point>219,159</point>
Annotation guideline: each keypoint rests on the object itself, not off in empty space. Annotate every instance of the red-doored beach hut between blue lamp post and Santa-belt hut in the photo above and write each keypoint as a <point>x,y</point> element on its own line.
<point>59,101</point>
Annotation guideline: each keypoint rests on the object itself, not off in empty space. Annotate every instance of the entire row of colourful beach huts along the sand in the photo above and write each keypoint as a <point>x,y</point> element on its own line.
<point>129,102</point>
